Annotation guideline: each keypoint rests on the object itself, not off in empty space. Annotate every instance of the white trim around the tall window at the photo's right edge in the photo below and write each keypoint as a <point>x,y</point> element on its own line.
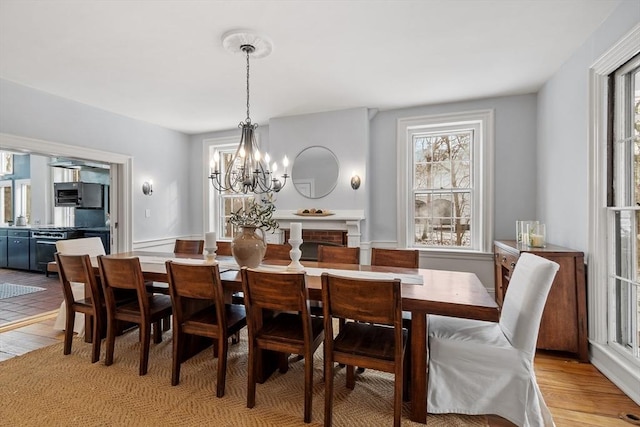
<point>618,368</point>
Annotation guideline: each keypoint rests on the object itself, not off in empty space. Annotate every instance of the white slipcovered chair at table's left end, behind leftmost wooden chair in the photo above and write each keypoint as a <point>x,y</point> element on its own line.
<point>91,246</point>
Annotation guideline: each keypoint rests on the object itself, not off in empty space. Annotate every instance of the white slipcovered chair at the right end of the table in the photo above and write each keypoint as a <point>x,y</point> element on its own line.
<point>479,367</point>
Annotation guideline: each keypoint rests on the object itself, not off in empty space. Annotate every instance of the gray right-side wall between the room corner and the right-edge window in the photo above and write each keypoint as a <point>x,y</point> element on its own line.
<point>563,126</point>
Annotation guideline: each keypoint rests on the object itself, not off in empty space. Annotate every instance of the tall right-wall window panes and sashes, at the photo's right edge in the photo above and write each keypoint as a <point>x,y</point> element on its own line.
<point>624,210</point>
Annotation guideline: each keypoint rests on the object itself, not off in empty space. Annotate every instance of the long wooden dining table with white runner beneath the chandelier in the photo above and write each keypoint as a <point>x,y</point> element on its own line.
<point>447,293</point>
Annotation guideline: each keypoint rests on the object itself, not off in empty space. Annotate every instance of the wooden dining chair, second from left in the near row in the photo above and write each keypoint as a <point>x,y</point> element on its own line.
<point>125,273</point>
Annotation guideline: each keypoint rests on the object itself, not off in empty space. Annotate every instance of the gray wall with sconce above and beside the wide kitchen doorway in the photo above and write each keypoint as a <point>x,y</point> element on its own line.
<point>159,154</point>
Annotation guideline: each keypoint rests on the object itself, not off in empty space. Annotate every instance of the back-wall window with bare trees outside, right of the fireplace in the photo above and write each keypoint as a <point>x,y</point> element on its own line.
<point>446,181</point>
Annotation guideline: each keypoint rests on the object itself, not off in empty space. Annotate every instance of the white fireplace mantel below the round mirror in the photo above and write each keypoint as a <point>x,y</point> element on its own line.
<point>348,220</point>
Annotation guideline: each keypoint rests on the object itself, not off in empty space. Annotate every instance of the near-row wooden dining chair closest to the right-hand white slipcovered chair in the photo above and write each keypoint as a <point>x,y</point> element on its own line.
<point>372,338</point>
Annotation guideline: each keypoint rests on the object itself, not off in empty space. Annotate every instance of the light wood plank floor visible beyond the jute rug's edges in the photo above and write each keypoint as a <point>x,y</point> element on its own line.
<point>576,393</point>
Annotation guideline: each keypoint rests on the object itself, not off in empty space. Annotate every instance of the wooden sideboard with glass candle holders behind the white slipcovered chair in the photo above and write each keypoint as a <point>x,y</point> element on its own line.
<point>564,321</point>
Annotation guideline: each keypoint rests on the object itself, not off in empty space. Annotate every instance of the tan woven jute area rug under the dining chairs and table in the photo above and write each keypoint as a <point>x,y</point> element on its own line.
<point>46,388</point>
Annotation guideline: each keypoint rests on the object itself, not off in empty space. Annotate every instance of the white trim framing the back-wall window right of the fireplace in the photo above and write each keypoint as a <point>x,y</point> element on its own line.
<point>483,155</point>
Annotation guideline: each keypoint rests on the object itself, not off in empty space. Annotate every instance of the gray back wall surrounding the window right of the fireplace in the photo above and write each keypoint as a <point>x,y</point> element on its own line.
<point>515,162</point>
